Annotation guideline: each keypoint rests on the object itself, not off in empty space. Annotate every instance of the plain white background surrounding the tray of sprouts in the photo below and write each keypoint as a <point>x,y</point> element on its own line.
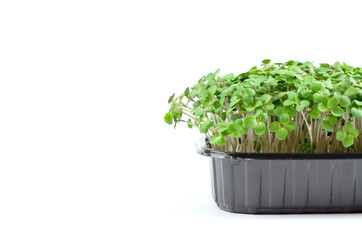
<point>84,151</point>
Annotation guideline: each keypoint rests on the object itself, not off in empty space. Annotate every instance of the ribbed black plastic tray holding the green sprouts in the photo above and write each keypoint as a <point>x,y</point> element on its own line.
<point>286,182</point>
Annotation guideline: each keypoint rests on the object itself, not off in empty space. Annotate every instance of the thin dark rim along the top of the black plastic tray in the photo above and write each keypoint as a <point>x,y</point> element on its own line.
<point>279,156</point>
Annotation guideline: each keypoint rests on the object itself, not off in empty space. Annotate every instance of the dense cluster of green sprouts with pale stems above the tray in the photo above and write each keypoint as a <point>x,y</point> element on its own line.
<point>277,108</point>
